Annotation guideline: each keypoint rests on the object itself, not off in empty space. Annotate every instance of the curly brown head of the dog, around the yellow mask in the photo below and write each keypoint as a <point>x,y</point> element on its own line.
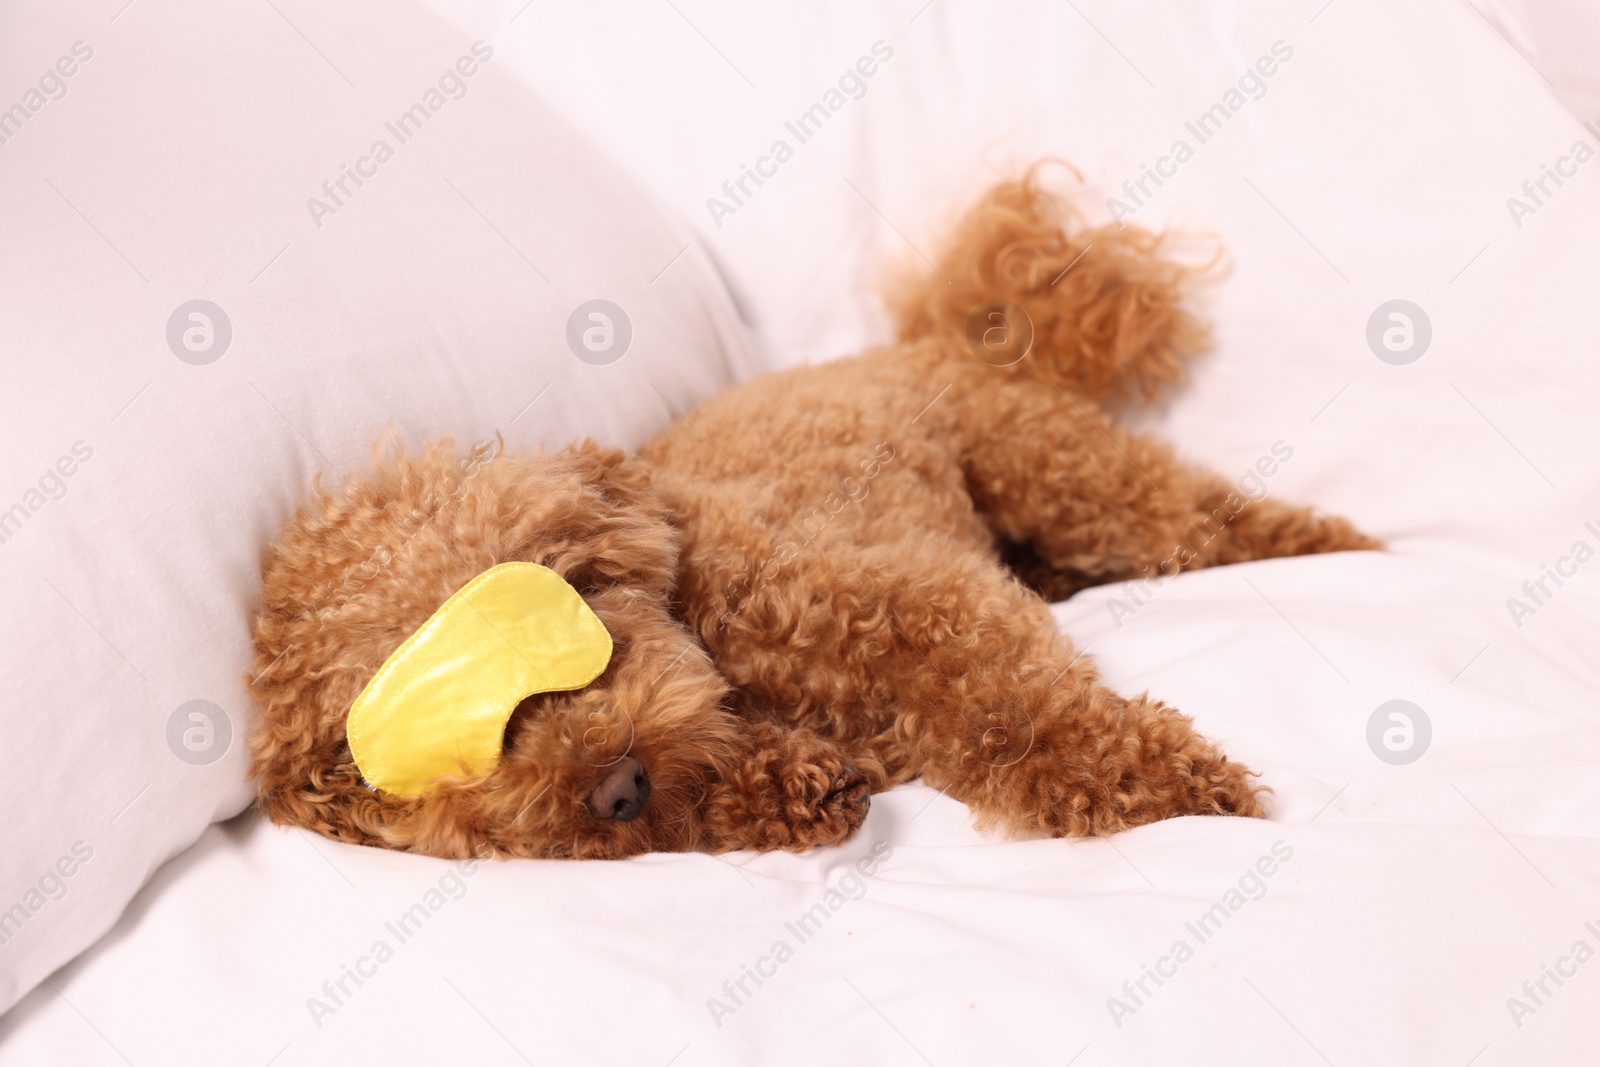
<point>609,770</point>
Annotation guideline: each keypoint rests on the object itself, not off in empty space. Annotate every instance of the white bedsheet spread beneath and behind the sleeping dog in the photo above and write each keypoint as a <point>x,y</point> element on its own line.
<point>1422,908</point>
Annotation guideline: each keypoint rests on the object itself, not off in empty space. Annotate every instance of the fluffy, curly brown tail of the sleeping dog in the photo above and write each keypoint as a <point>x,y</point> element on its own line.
<point>1102,310</point>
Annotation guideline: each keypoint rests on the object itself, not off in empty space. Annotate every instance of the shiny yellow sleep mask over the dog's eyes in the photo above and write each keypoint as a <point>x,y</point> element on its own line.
<point>441,703</point>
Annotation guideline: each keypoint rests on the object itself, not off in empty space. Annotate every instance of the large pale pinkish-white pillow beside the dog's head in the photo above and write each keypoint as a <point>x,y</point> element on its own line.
<point>241,242</point>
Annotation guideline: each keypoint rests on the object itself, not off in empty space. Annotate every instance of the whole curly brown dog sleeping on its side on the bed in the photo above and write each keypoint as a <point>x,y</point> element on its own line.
<point>806,583</point>
